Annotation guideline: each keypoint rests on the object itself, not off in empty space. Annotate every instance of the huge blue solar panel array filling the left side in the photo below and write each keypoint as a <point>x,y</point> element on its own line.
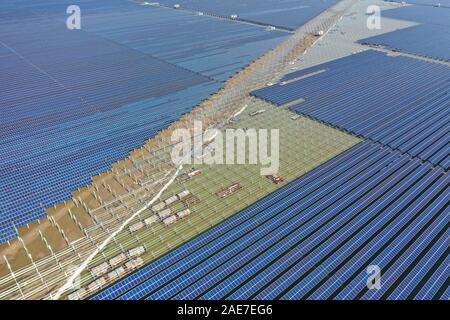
<point>74,101</point>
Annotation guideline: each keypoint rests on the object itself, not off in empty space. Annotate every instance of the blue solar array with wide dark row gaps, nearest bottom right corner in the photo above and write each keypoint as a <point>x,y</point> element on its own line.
<point>316,237</point>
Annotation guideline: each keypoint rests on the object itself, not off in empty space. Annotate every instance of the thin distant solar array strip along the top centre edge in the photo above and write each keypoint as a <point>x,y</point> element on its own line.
<point>281,13</point>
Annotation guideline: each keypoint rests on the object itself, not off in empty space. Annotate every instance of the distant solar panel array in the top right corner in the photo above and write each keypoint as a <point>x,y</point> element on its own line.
<point>430,38</point>
